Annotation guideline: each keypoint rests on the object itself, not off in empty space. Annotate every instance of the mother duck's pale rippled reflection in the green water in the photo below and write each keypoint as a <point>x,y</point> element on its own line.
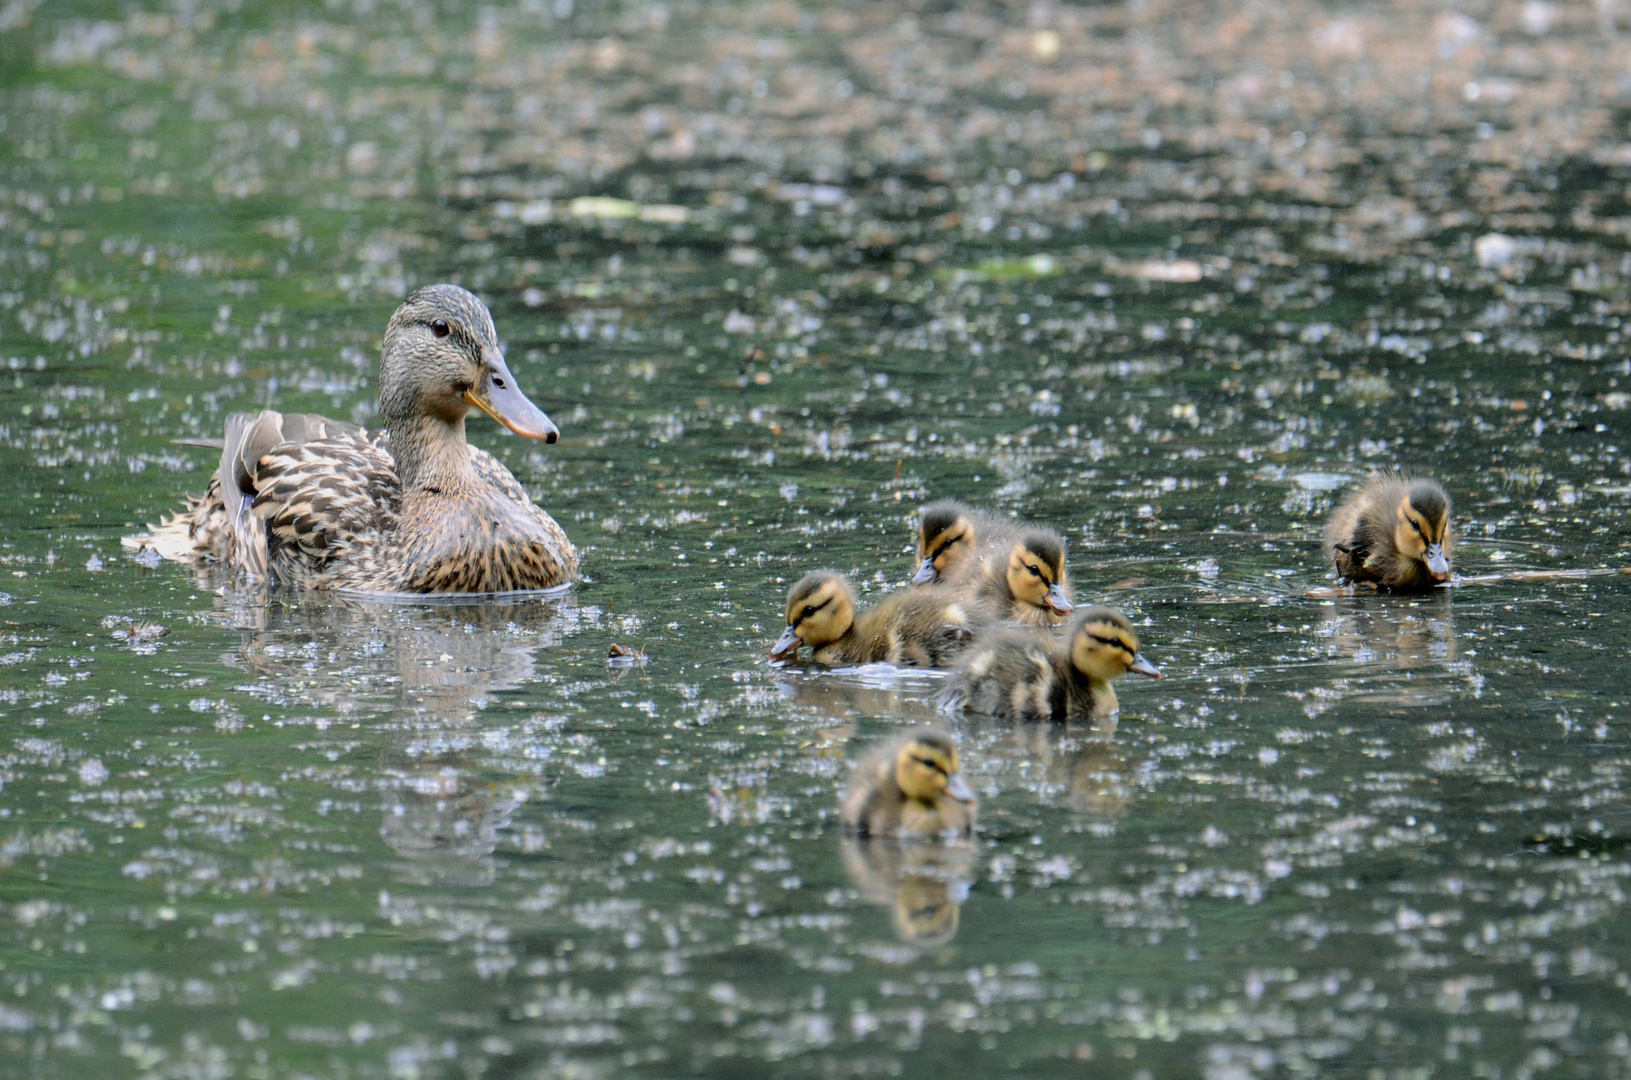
<point>428,670</point>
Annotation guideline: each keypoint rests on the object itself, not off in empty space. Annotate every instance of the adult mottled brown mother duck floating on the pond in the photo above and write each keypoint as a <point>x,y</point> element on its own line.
<point>311,502</point>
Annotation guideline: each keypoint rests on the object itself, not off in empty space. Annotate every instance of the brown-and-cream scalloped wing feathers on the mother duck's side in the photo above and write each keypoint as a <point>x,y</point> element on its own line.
<point>317,498</point>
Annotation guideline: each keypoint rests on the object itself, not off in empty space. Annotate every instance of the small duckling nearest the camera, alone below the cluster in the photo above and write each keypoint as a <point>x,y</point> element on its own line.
<point>909,789</point>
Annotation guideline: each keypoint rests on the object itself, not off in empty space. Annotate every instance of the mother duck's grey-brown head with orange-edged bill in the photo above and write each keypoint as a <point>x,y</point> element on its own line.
<point>441,358</point>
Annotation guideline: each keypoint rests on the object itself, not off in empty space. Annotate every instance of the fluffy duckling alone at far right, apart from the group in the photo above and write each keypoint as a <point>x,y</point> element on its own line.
<point>1394,533</point>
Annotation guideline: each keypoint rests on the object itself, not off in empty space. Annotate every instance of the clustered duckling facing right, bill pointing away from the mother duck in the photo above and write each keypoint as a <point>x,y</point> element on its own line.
<point>1030,675</point>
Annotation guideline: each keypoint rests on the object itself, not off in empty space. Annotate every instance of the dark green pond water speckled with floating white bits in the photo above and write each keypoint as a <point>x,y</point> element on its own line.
<point>1164,277</point>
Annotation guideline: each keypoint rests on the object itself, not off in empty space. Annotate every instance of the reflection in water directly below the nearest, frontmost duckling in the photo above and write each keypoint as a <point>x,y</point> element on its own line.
<point>922,885</point>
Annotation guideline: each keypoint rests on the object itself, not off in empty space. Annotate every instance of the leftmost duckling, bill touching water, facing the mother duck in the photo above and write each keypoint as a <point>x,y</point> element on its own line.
<point>909,627</point>
